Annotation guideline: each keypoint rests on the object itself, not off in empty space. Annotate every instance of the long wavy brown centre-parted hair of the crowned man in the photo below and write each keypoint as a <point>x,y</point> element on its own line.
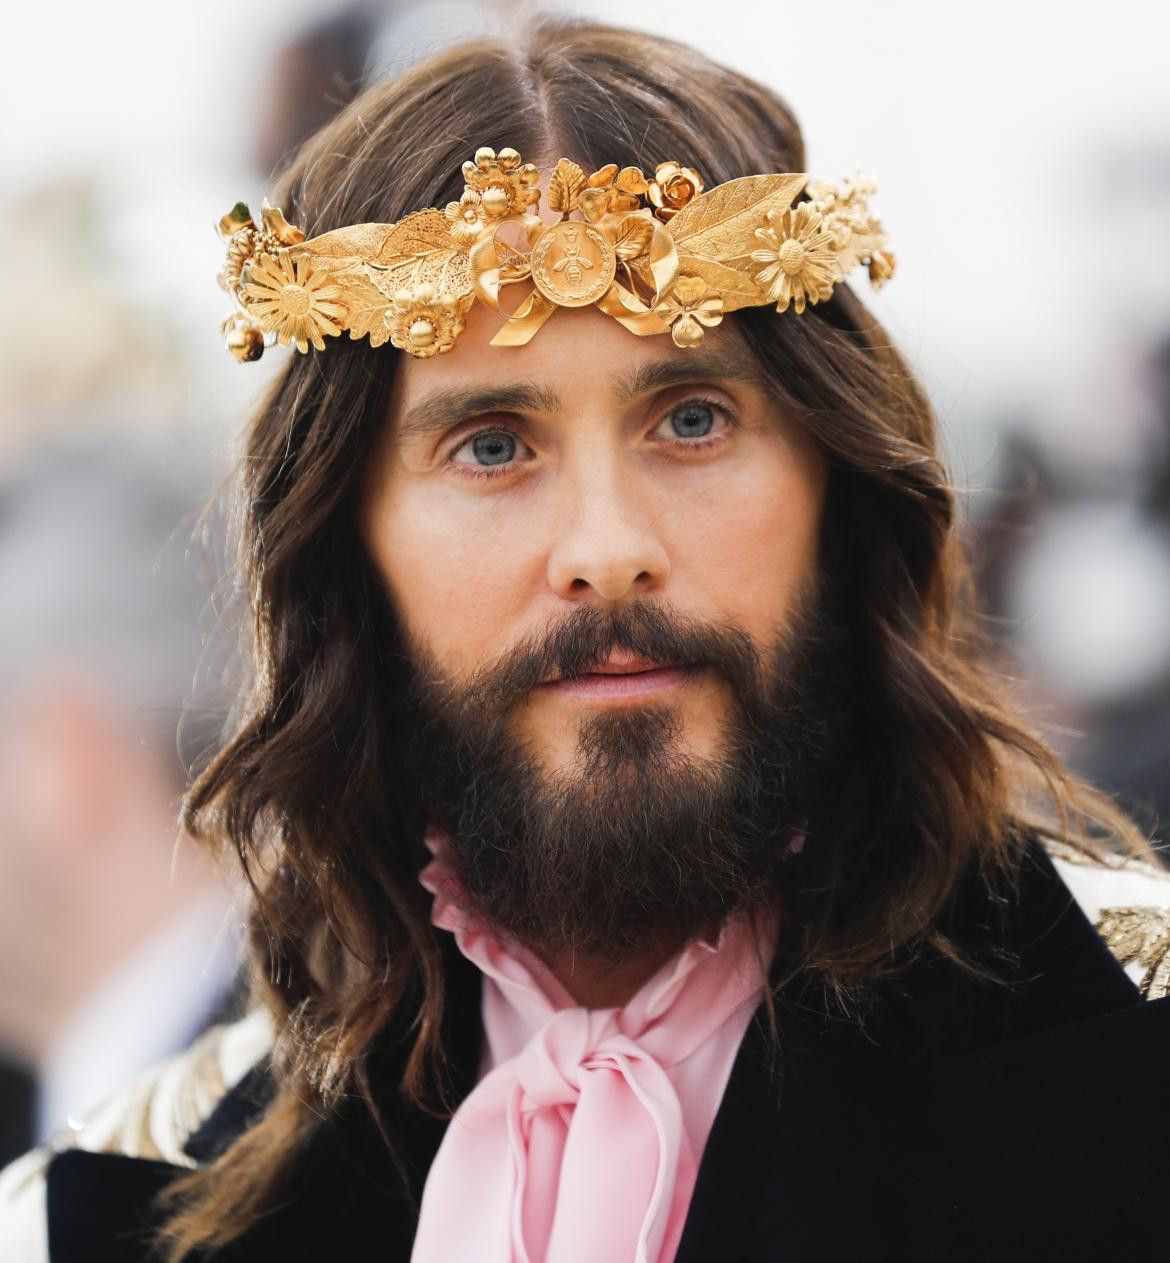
<point>941,774</point>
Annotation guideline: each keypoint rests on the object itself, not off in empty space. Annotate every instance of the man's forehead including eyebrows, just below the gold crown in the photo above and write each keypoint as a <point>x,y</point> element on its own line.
<point>576,350</point>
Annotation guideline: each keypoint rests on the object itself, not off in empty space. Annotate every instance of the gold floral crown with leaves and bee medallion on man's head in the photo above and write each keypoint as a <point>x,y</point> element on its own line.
<point>656,254</point>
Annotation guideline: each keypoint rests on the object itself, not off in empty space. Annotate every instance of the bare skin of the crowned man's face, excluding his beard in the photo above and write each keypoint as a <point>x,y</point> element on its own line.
<point>605,500</point>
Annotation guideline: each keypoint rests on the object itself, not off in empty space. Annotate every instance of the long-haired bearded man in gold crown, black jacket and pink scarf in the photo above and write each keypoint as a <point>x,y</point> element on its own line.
<point>645,866</point>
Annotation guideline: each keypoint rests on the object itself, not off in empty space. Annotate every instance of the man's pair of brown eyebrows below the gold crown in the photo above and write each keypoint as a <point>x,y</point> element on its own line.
<point>444,410</point>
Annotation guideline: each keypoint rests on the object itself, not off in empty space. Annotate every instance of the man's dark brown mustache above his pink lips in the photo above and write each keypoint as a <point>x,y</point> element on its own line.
<point>588,636</point>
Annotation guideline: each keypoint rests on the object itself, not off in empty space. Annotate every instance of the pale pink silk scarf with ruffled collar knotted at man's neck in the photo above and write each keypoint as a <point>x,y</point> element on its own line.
<point>582,1140</point>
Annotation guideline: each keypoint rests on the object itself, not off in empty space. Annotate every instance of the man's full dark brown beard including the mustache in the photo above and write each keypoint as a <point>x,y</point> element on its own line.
<point>641,844</point>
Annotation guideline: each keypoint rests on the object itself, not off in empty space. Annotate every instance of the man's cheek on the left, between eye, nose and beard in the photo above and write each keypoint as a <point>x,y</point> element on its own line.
<point>457,584</point>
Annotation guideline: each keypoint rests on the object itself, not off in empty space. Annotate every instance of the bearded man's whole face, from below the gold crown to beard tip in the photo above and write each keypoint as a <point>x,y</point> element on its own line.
<point>603,553</point>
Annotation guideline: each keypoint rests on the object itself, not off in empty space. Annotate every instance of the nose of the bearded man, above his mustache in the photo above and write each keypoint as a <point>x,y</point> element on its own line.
<point>608,541</point>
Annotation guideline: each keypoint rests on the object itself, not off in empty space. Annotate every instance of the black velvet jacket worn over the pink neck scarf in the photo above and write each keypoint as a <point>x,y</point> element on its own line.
<point>957,1123</point>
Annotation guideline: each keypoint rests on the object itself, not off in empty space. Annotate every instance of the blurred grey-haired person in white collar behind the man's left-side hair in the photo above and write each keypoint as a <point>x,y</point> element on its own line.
<point>118,943</point>
